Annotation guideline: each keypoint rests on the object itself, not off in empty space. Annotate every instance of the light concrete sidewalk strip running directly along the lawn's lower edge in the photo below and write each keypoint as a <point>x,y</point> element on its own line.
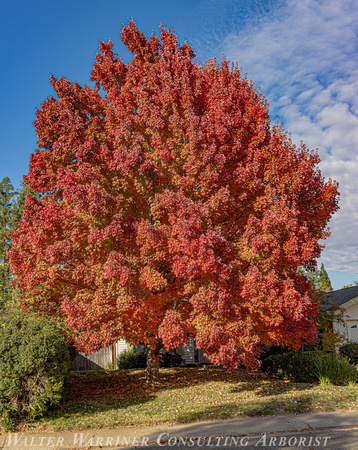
<point>165,435</point>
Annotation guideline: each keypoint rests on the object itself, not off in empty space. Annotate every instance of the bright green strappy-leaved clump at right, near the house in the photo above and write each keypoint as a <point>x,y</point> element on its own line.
<point>332,369</point>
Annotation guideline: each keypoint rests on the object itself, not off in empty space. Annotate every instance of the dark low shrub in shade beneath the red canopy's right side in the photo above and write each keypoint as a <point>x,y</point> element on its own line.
<point>294,366</point>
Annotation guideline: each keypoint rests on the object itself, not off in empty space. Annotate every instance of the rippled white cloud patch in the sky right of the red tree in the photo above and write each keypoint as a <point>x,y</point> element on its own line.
<point>304,58</point>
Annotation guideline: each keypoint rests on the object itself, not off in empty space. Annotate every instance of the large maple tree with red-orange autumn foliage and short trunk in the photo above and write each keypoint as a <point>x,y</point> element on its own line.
<point>170,207</point>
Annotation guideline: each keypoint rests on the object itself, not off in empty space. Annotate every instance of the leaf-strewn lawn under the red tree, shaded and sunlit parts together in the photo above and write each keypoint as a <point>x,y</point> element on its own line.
<point>114,398</point>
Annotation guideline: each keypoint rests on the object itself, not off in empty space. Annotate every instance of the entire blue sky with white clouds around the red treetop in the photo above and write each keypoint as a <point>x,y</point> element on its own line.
<point>303,55</point>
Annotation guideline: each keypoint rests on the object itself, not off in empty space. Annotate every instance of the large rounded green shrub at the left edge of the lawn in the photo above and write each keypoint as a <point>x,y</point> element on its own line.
<point>34,366</point>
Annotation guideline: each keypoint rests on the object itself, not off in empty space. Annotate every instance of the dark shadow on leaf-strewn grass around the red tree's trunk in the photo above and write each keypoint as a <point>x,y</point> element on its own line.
<point>121,388</point>
